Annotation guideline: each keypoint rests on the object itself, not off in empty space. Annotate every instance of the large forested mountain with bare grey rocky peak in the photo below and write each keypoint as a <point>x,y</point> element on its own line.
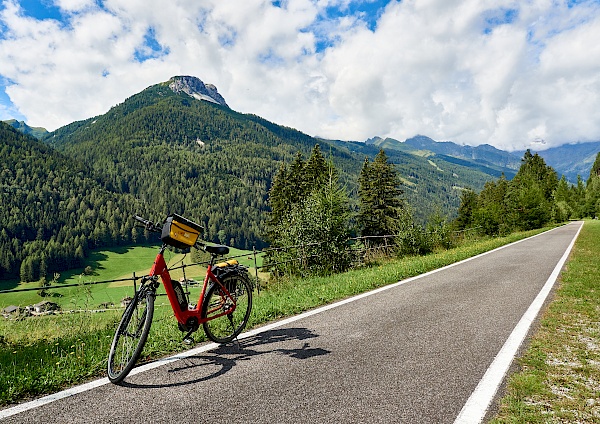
<point>177,152</point>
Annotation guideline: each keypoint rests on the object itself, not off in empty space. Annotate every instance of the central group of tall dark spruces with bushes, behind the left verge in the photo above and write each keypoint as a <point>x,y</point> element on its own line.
<point>312,218</point>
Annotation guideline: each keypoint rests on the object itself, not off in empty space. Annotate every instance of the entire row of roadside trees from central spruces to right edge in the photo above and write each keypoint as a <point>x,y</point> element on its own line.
<point>311,218</point>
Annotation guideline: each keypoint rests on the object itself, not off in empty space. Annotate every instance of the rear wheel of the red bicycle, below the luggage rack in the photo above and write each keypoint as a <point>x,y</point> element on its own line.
<point>227,327</point>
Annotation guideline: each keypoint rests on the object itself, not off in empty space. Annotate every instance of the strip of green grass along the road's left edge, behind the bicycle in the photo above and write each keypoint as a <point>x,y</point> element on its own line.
<point>43,355</point>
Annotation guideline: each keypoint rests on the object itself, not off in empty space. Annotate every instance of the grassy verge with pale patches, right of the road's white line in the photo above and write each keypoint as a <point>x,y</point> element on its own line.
<point>559,380</point>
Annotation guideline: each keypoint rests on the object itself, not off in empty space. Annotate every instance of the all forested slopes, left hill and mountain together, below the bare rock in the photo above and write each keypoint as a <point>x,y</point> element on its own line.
<point>160,152</point>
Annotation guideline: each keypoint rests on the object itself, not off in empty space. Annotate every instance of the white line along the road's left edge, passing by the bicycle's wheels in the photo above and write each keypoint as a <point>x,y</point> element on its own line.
<point>5,413</point>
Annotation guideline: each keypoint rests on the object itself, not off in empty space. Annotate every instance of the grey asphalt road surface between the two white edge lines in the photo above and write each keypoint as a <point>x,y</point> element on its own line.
<point>410,354</point>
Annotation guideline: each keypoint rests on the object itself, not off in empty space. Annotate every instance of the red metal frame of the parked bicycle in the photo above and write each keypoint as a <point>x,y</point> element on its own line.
<point>161,269</point>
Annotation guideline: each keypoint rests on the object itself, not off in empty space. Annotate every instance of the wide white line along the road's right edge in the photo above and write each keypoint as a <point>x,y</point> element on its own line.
<point>473,412</point>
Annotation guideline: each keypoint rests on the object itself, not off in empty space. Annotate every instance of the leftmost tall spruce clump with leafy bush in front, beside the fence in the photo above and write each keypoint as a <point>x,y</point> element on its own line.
<point>309,210</point>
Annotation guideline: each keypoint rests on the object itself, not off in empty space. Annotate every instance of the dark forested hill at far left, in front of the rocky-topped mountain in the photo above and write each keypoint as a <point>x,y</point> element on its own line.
<point>52,209</point>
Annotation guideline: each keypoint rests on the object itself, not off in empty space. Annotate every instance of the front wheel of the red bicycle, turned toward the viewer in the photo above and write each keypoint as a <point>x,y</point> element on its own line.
<point>127,345</point>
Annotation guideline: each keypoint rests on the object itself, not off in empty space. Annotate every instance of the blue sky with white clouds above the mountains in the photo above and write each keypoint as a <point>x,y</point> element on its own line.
<point>515,74</point>
